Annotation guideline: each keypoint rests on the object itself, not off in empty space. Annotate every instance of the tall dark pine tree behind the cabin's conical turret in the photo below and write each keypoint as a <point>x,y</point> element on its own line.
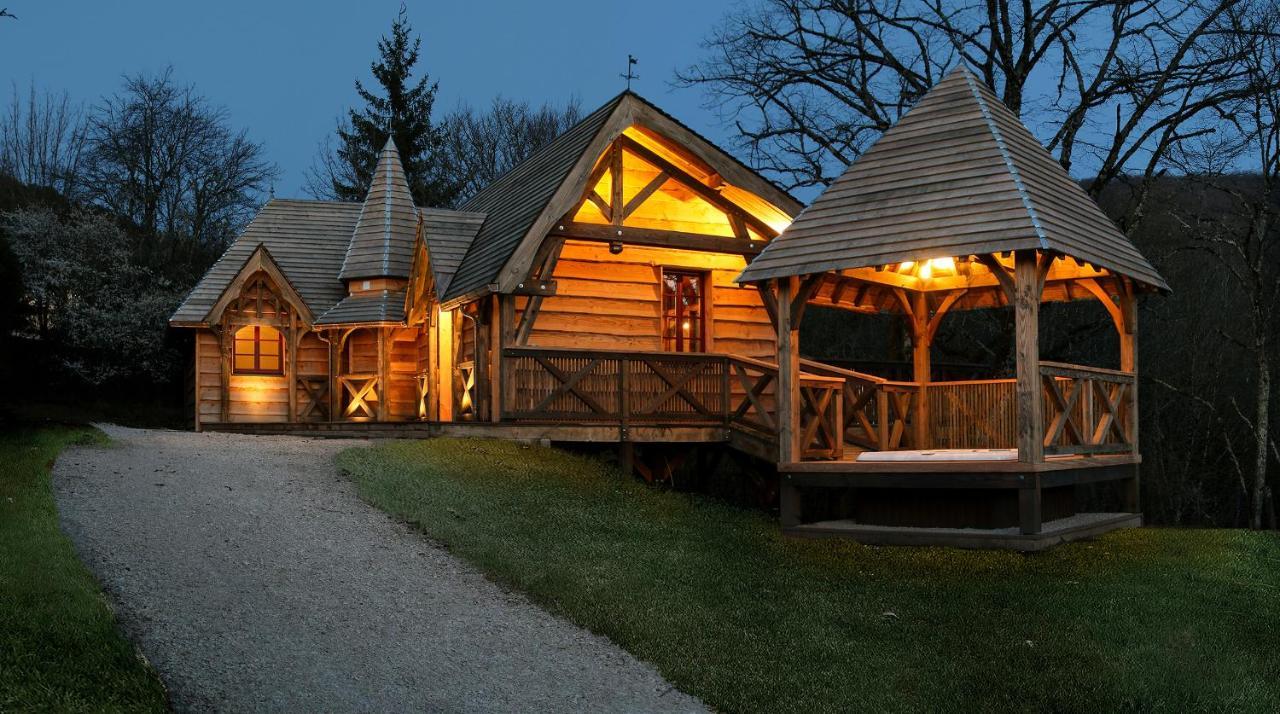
<point>403,107</point>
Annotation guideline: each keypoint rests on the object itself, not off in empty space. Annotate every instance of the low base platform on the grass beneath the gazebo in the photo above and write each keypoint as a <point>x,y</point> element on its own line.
<point>1053,533</point>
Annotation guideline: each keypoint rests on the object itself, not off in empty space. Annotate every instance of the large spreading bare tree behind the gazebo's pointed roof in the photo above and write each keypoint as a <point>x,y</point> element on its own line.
<point>812,84</point>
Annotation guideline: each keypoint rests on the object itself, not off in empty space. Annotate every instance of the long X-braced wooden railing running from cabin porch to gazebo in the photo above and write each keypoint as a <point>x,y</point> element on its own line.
<point>634,388</point>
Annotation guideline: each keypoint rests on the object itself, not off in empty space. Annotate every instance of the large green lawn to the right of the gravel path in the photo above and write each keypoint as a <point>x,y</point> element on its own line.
<point>749,621</point>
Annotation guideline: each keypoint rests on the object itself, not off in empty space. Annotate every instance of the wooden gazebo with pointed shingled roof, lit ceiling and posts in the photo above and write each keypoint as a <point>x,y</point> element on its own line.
<point>959,207</point>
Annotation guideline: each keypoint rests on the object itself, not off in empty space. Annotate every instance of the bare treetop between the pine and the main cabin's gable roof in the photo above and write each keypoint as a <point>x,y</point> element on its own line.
<point>481,147</point>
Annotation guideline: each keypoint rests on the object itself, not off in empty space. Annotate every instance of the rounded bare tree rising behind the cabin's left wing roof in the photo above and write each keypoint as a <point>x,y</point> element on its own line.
<point>162,157</point>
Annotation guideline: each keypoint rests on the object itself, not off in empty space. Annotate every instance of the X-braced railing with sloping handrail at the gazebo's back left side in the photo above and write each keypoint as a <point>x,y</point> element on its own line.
<point>877,414</point>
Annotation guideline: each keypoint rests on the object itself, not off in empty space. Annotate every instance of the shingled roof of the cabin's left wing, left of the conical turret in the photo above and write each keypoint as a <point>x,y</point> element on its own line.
<point>308,240</point>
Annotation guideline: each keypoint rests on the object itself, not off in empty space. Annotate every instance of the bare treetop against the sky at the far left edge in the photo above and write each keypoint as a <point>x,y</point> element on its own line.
<point>43,140</point>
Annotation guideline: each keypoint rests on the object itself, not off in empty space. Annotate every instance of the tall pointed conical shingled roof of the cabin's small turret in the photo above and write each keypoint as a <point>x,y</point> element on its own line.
<point>382,245</point>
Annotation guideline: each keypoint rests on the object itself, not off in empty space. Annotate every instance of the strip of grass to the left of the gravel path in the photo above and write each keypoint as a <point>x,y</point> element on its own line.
<point>60,648</point>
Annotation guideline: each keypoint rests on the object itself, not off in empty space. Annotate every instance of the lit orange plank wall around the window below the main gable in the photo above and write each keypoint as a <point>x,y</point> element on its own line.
<point>609,301</point>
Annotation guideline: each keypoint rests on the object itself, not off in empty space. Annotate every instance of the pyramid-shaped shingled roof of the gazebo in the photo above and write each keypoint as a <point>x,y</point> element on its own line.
<point>959,175</point>
